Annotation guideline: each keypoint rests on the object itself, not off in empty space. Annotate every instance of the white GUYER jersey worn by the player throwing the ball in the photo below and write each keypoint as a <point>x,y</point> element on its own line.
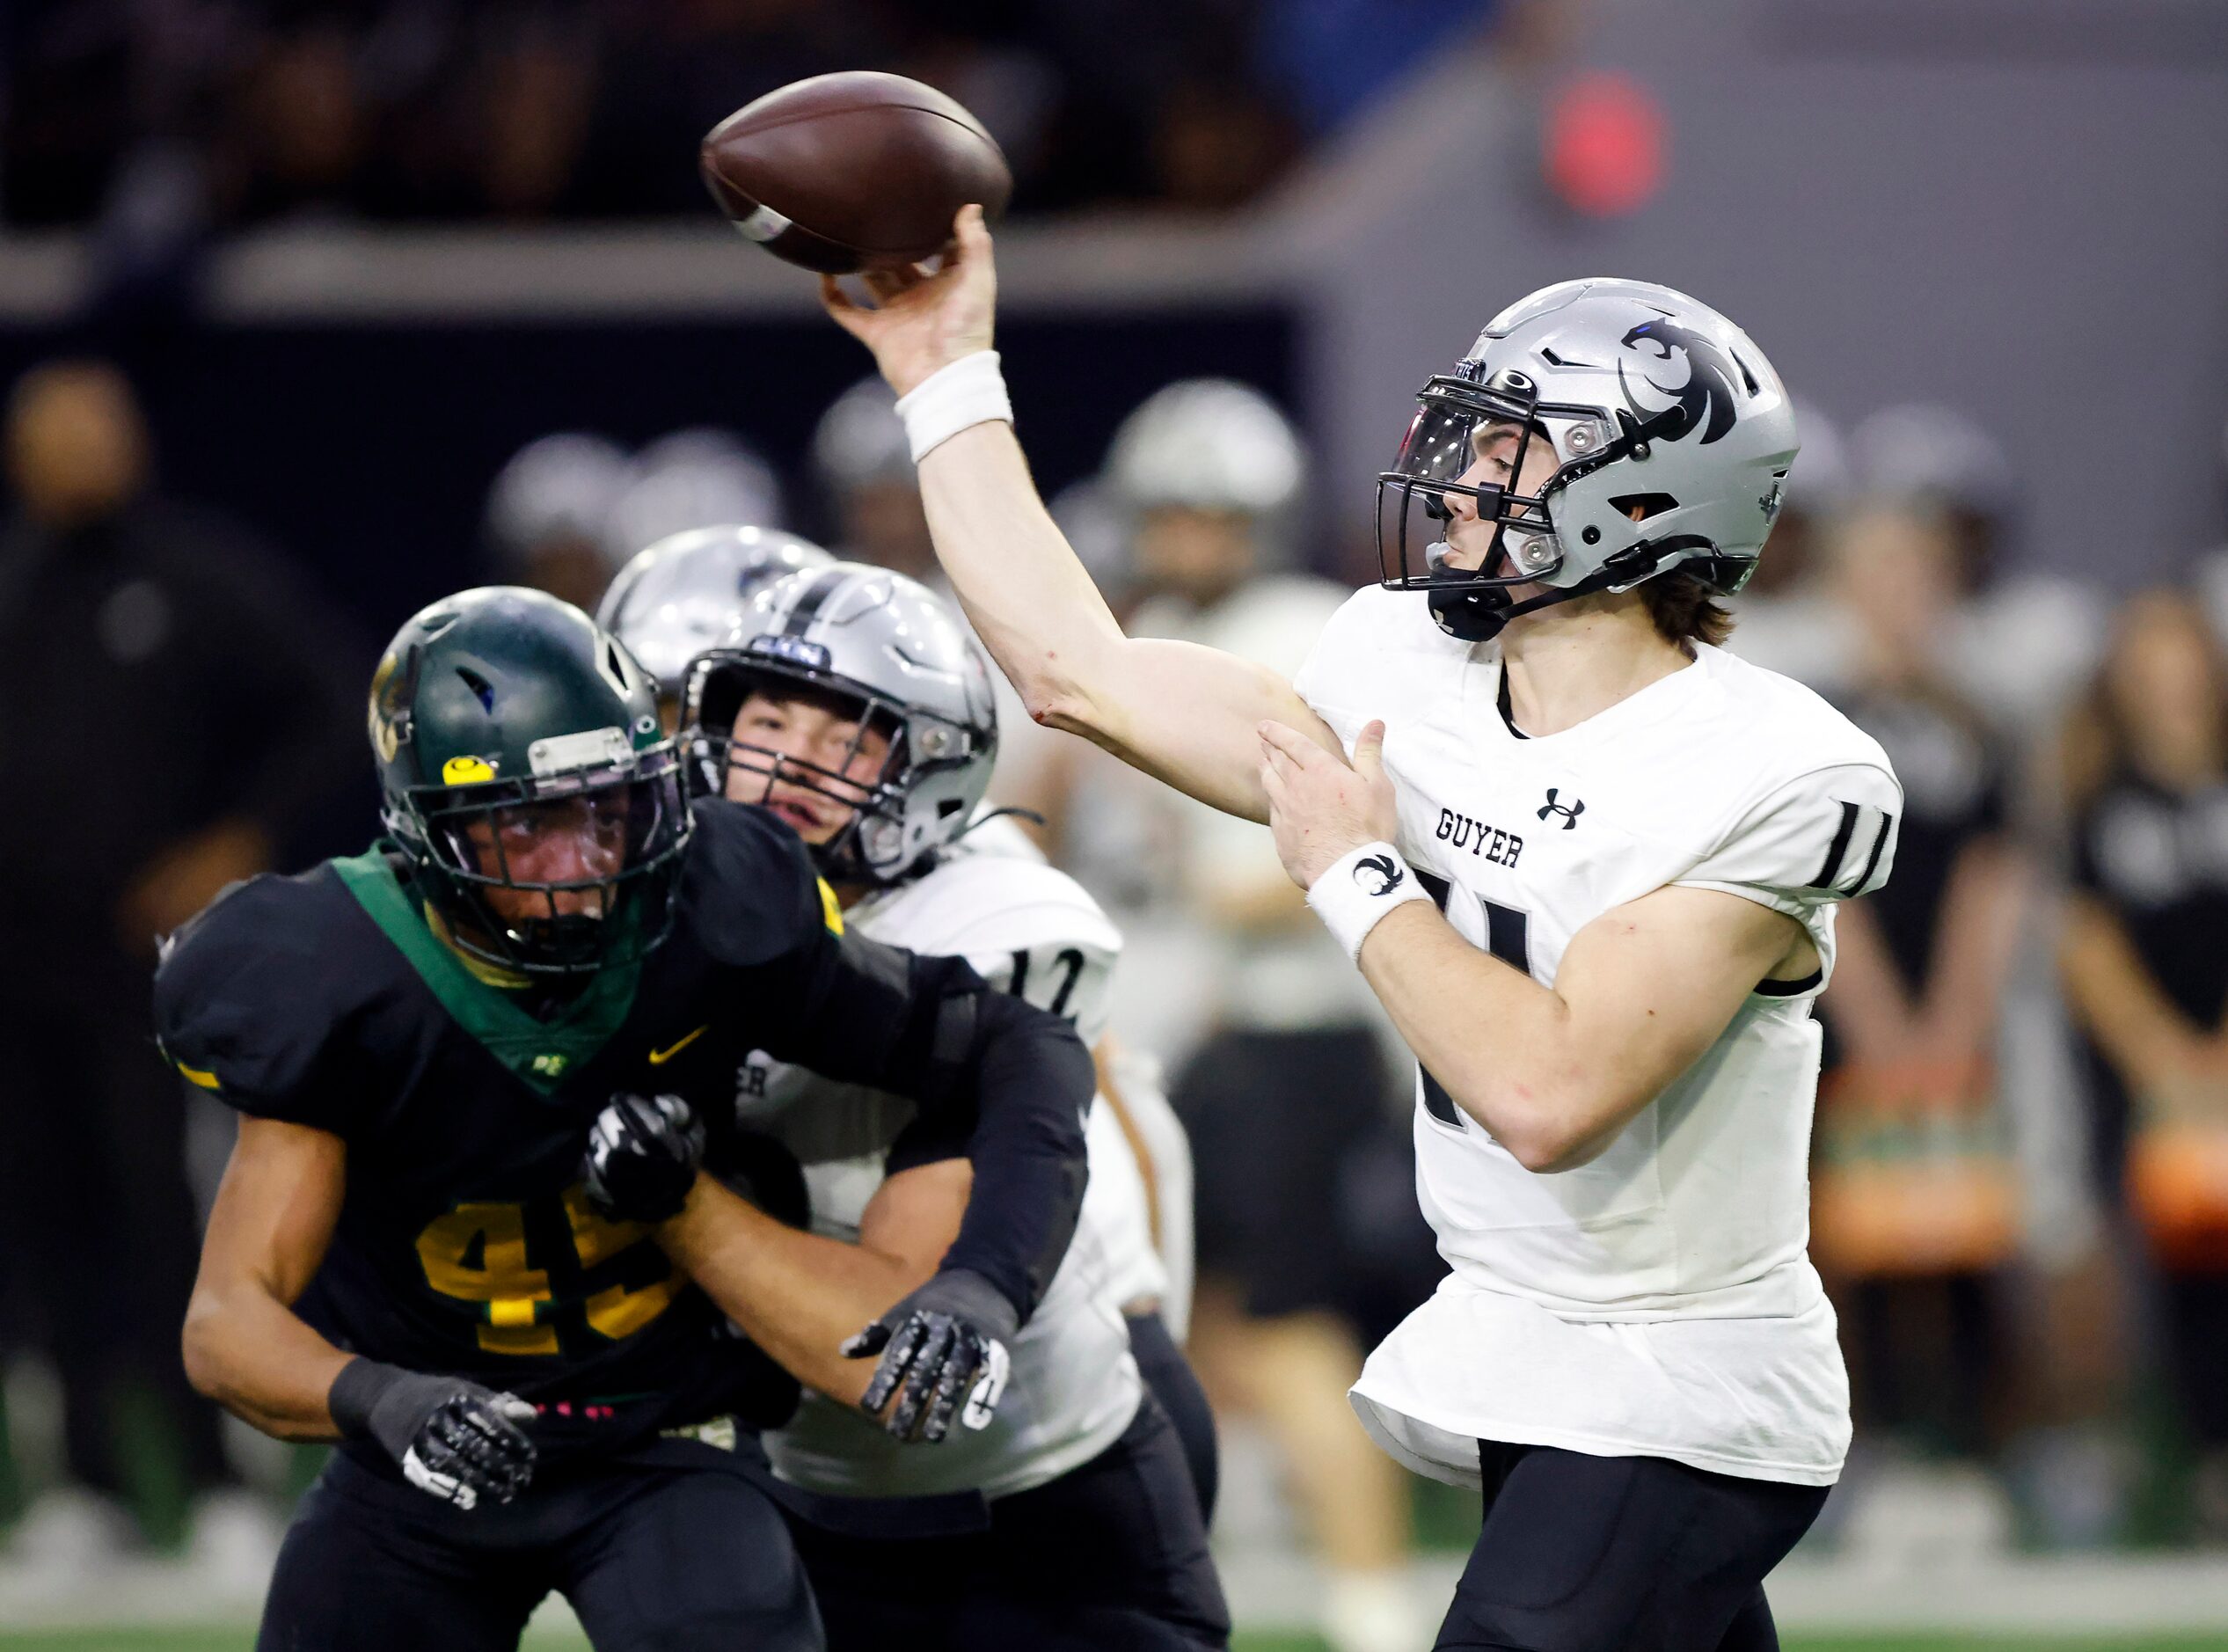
<point>1657,1301</point>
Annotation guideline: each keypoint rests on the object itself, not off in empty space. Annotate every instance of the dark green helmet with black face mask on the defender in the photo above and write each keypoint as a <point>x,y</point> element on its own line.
<point>529,781</point>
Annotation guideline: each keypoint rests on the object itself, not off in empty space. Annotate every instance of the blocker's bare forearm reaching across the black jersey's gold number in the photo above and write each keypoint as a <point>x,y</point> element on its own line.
<point>797,1294</point>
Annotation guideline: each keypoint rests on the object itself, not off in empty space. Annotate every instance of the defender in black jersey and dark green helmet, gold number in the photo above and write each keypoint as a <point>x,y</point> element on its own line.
<point>404,1254</point>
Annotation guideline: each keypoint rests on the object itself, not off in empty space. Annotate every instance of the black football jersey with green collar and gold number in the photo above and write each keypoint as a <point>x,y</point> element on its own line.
<point>465,1243</point>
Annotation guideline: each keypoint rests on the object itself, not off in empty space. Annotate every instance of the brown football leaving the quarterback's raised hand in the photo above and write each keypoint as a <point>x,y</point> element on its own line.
<point>852,171</point>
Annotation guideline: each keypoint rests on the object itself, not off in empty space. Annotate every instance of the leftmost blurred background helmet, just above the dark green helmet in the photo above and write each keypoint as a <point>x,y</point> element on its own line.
<point>549,512</point>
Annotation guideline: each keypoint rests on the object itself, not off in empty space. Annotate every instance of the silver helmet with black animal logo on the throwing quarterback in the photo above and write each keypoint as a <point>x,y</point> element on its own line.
<point>1672,440</point>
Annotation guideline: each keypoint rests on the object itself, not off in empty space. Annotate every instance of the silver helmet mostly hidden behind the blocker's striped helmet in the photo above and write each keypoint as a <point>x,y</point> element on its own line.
<point>687,592</point>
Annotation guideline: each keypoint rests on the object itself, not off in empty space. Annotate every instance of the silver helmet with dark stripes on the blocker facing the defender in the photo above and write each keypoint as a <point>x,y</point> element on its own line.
<point>895,652</point>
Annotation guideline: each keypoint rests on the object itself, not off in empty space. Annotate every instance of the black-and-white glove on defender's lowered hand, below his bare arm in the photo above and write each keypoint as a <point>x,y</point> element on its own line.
<point>453,1439</point>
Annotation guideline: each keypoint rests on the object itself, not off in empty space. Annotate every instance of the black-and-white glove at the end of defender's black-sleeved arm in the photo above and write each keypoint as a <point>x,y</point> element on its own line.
<point>944,1341</point>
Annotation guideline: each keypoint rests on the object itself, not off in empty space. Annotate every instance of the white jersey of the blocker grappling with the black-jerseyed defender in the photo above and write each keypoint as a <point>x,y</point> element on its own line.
<point>1075,1388</point>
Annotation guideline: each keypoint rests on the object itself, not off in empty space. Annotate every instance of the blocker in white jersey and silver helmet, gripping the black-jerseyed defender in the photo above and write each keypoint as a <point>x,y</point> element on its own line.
<point>852,703</point>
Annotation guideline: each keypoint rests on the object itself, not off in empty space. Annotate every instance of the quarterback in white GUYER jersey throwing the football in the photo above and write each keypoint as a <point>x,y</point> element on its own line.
<point>1639,844</point>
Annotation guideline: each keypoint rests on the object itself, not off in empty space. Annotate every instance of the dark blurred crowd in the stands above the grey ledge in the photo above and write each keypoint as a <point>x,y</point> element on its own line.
<point>244,113</point>
